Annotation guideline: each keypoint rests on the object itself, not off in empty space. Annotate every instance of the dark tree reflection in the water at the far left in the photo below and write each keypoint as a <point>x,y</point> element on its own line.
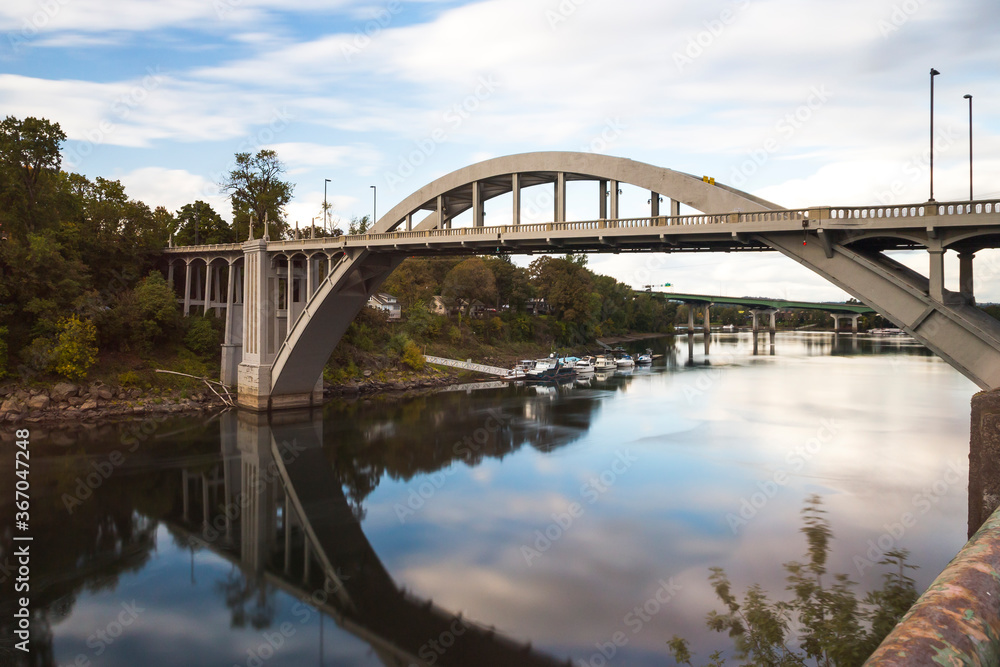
<point>107,534</point>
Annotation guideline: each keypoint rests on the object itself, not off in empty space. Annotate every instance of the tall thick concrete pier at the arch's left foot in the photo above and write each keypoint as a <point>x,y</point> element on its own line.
<point>259,344</point>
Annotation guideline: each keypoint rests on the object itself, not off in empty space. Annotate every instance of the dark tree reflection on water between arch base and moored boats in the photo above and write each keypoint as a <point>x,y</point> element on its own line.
<point>416,436</point>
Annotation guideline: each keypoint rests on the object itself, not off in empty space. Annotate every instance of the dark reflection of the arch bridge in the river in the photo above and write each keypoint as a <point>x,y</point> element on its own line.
<point>275,508</point>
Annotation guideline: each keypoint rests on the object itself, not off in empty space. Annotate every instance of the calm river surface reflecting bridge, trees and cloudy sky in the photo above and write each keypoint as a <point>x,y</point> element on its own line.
<point>511,526</point>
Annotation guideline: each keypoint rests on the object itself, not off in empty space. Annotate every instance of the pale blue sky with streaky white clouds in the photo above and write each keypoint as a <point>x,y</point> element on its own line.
<point>802,103</point>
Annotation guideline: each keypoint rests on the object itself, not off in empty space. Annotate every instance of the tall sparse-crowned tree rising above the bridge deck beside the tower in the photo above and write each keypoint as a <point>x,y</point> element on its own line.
<point>255,188</point>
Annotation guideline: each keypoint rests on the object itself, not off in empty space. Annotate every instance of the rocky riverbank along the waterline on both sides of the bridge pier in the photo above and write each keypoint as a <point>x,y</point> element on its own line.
<point>66,402</point>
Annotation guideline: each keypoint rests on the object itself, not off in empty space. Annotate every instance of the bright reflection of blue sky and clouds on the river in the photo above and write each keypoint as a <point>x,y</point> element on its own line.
<point>900,422</point>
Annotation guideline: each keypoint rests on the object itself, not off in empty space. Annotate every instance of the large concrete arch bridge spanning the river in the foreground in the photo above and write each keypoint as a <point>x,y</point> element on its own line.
<point>287,303</point>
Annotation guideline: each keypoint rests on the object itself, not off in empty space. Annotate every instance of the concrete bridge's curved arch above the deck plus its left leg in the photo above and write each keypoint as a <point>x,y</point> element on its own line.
<point>295,373</point>
